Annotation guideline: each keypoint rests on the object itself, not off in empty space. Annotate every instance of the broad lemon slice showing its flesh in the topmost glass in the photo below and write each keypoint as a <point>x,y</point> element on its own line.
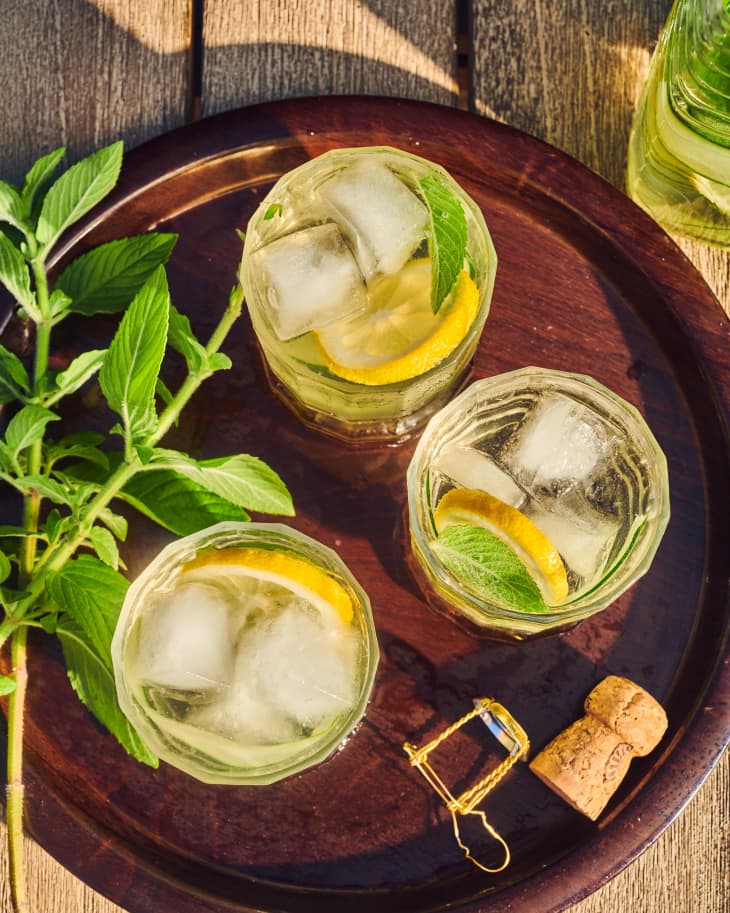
<point>398,336</point>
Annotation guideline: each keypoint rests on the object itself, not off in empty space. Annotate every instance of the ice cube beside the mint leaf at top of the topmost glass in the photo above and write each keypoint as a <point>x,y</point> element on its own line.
<point>385,220</point>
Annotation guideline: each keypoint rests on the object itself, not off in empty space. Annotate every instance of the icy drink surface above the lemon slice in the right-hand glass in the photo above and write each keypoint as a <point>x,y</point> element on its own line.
<point>563,467</point>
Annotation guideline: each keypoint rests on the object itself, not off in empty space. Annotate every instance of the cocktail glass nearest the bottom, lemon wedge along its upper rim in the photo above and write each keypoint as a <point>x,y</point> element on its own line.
<point>245,653</point>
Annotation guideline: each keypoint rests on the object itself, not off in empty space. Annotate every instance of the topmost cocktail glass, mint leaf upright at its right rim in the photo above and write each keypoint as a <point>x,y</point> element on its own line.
<point>340,269</point>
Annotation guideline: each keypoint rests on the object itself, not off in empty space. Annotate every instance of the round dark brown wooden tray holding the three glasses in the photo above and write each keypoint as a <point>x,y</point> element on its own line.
<point>586,282</point>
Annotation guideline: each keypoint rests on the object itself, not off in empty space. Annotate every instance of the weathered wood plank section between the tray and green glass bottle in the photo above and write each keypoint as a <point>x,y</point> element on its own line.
<point>568,73</point>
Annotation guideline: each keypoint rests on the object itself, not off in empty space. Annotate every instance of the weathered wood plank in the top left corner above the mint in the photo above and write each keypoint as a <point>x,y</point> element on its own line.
<point>83,74</point>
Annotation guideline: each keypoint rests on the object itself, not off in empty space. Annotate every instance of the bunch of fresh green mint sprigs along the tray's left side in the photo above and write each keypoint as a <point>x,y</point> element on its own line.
<point>61,567</point>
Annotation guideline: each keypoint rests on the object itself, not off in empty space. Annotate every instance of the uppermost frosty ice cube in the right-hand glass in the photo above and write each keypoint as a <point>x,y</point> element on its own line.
<point>557,445</point>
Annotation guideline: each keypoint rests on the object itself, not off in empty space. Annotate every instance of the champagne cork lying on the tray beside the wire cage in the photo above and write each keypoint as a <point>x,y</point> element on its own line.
<point>586,762</point>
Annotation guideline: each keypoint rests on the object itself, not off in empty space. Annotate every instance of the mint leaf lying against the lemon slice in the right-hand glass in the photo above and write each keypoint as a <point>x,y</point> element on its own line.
<point>489,567</point>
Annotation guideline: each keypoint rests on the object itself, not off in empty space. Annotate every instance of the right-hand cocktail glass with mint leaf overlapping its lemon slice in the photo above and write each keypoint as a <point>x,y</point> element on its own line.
<point>568,467</point>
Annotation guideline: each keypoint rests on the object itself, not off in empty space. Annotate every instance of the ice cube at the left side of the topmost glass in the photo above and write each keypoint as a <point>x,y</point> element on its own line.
<point>311,280</point>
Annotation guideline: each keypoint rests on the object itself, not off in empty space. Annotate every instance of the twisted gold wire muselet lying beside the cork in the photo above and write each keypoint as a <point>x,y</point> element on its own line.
<point>509,734</point>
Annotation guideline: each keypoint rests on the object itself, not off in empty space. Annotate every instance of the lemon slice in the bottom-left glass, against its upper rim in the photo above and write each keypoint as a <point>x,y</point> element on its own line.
<point>283,568</point>
